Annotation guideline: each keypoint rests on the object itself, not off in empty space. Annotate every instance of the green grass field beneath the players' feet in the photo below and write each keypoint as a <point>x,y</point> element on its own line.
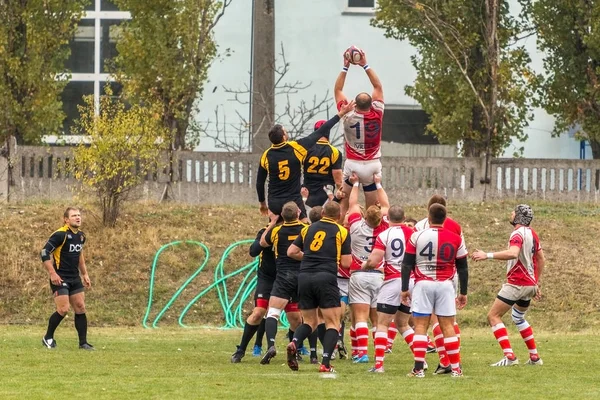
<point>133,363</point>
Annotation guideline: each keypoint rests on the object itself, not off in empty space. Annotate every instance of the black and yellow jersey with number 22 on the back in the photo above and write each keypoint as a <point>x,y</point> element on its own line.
<point>319,164</point>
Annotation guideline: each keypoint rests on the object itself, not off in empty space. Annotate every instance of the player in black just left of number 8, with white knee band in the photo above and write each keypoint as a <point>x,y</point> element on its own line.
<point>284,294</point>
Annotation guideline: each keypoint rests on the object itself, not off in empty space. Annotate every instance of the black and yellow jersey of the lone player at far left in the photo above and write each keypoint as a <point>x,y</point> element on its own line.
<point>65,246</point>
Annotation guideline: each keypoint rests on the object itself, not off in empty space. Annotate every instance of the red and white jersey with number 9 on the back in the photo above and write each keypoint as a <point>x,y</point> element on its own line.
<point>393,241</point>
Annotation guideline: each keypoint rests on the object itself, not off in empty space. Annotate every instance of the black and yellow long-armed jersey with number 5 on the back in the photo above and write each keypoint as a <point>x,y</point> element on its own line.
<point>282,164</point>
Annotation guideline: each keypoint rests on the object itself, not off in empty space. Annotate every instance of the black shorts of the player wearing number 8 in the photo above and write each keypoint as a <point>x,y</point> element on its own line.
<point>318,290</point>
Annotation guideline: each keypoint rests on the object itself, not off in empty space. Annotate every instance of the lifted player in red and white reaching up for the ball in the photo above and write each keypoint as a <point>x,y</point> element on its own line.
<point>362,132</point>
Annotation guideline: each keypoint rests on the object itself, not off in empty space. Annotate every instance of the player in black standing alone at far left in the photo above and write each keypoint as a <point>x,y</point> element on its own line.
<point>63,258</point>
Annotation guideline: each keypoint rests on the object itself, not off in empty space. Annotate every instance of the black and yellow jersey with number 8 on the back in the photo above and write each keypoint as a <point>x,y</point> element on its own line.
<point>323,243</point>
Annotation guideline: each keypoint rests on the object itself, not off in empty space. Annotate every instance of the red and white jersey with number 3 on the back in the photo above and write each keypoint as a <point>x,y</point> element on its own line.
<point>363,238</point>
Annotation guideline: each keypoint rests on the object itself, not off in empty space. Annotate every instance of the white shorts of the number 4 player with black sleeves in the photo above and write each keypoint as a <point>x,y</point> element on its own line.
<point>428,296</point>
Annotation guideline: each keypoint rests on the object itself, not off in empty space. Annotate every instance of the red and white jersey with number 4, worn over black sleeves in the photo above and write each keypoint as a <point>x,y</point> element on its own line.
<point>436,250</point>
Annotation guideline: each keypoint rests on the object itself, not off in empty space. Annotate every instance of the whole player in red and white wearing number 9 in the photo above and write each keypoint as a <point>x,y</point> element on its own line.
<point>389,248</point>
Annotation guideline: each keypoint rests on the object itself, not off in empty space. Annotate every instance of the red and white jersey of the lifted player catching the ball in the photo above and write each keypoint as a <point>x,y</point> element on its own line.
<point>362,132</point>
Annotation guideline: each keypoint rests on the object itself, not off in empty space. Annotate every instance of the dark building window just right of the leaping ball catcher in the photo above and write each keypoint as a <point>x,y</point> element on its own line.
<point>406,125</point>
